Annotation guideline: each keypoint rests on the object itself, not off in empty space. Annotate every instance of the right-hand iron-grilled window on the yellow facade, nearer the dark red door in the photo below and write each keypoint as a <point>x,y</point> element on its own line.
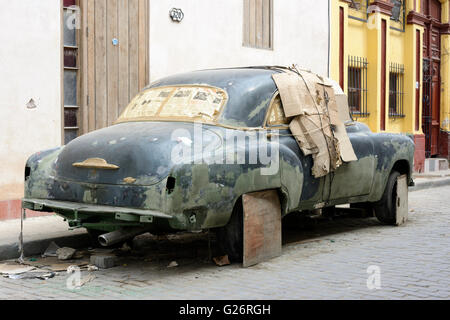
<point>396,77</point>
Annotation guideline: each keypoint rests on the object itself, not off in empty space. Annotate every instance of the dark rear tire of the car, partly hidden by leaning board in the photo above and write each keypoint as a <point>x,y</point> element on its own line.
<point>231,237</point>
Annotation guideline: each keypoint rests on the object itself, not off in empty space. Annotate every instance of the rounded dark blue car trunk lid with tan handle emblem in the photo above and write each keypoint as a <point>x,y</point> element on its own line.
<point>136,153</point>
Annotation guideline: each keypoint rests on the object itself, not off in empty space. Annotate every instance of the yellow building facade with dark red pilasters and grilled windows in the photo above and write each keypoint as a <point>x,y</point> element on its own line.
<point>392,59</point>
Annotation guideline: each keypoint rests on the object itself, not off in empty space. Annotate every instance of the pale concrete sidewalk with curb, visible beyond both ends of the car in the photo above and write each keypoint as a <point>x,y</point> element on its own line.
<point>41,231</point>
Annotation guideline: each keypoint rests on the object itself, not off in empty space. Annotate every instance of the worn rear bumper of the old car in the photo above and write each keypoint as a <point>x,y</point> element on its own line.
<point>75,208</point>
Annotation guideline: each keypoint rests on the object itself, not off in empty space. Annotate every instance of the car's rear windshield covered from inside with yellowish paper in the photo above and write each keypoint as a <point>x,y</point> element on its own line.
<point>199,103</point>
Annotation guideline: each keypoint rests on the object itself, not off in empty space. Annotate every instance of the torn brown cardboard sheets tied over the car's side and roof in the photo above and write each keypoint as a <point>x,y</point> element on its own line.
<point>316,122</point>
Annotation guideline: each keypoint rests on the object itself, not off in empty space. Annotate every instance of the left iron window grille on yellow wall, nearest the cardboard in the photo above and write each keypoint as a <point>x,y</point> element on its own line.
<point>357,86</point>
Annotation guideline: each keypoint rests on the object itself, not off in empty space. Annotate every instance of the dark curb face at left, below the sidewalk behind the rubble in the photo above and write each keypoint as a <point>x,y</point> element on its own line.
<point>37,247</point>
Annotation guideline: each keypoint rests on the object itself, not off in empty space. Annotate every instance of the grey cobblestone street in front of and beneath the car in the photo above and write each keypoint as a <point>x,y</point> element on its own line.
<point>329,261</point>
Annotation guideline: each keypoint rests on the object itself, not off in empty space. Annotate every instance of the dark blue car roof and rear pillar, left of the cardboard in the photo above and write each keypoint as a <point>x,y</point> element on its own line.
<point>250,91</point>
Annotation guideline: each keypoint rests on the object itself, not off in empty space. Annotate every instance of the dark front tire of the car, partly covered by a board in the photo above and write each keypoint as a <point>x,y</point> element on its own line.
<point>386,208</point>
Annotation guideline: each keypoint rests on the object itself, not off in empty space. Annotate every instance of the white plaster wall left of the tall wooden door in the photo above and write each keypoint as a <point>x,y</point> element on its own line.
<point>30,68</point>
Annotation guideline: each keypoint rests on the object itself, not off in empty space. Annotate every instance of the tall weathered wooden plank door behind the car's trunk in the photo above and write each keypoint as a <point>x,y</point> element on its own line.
<point>116,55</point>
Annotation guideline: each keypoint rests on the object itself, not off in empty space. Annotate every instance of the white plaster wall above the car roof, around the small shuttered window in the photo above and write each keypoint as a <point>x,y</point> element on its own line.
<point>211,36</point>
